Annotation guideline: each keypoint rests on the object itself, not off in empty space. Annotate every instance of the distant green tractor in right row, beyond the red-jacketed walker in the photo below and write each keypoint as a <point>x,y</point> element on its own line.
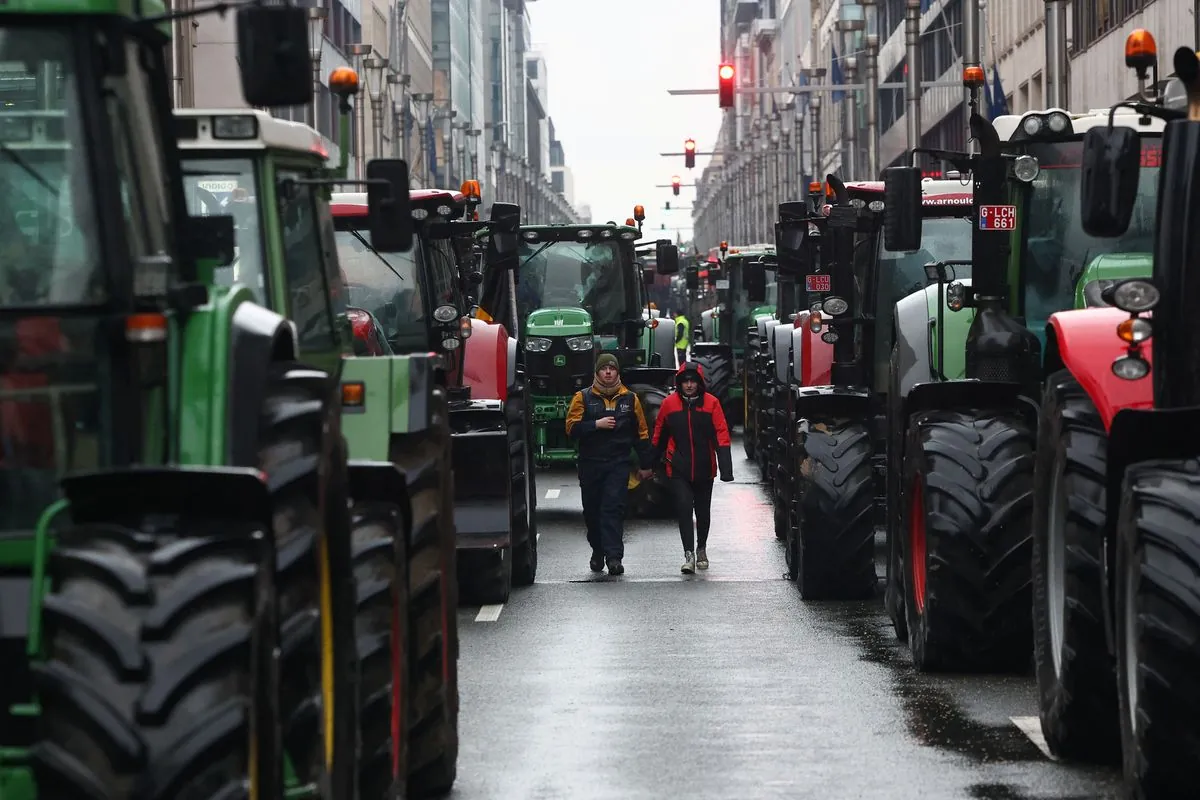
<point>724,347</point>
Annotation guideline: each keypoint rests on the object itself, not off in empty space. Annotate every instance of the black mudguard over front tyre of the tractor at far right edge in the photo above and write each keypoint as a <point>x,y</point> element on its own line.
<point>1138,436</point>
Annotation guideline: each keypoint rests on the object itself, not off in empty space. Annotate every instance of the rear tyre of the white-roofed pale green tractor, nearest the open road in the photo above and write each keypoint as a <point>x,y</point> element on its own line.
<point>434,603</point>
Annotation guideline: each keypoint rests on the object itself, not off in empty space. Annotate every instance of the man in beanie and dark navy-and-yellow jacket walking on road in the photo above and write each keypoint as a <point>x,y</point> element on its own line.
<point>607,419</point>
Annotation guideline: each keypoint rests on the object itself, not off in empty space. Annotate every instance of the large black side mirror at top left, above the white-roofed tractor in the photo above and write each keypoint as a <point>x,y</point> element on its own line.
<point>273,56</point>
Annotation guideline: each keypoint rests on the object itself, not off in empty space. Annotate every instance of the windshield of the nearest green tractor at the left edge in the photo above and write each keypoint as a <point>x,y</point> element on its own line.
<point>50,252</point>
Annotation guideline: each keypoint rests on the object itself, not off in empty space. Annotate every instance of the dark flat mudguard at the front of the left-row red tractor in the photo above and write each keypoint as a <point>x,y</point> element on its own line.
<point>479,447</point>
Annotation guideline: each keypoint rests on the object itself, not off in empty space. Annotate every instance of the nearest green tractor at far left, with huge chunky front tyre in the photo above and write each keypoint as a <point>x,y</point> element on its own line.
<point>177,573</point>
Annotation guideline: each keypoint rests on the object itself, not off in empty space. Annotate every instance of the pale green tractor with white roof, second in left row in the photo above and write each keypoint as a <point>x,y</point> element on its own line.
<point>273,178</point>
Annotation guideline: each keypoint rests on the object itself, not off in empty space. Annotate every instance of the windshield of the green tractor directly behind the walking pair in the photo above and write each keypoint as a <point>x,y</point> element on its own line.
<point>574,275</point>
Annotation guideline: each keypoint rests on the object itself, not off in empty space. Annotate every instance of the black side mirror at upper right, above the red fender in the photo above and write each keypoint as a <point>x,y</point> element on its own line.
<point>1108,181</point>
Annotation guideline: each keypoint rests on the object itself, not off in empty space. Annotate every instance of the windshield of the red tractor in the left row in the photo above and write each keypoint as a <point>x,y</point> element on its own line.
<point>387,286</point>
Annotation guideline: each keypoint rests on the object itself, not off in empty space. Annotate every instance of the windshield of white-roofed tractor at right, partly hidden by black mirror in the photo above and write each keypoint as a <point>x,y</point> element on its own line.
<point>1055,249</point>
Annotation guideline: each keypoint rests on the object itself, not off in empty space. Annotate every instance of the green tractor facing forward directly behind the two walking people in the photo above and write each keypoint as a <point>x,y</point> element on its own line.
<point>575,292</point>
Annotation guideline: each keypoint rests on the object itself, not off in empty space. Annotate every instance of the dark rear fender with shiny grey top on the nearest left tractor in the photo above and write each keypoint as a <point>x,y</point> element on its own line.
<point>257,338</point>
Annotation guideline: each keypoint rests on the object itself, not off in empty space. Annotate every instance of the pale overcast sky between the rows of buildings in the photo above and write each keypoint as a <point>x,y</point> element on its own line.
<point>609,68</point>
